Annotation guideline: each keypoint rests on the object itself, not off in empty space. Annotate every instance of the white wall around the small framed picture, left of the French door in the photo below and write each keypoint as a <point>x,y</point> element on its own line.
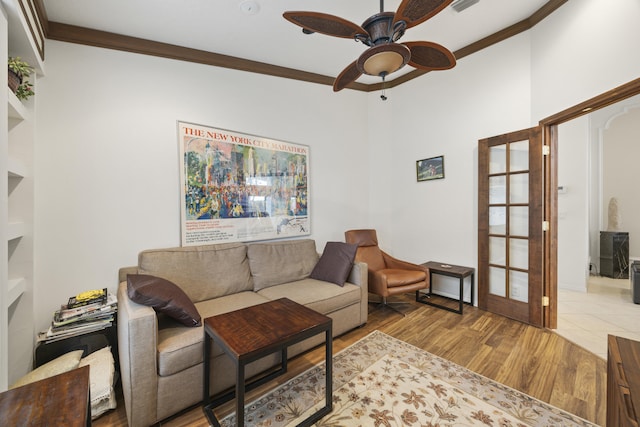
<point>443,113</point>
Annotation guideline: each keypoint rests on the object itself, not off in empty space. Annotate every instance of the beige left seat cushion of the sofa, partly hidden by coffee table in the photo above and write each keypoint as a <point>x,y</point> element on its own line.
<point>180,348</point>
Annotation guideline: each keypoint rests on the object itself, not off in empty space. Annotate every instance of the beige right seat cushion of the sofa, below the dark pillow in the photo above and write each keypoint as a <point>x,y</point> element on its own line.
<point>318,295</point>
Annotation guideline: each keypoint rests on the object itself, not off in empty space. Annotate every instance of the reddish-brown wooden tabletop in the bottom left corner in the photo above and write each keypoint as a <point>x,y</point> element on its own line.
<point>61,400</point>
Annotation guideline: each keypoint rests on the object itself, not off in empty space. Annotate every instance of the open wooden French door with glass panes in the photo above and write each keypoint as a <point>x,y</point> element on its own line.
<point>510,225</point>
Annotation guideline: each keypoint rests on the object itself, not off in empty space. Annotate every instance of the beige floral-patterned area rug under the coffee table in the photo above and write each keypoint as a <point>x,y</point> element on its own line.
<point>382,381</point>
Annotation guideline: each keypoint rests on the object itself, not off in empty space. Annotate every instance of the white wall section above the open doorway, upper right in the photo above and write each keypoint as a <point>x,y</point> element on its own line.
<point>583,49</point>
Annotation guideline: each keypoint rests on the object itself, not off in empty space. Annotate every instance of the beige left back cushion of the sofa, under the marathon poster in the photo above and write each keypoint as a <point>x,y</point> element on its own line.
<point>203,272</point>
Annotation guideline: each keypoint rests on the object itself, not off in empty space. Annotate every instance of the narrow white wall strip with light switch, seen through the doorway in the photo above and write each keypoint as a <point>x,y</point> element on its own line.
<point>573,204</point>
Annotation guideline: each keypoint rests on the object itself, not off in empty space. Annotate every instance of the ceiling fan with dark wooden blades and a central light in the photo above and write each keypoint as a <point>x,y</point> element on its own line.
<point>381,32</point>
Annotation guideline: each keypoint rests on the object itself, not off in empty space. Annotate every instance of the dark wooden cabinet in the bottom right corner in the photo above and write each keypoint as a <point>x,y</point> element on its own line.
<point>623,382</point>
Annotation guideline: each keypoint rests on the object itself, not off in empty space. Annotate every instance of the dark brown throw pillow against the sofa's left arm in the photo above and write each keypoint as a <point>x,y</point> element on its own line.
<point>164,296</point>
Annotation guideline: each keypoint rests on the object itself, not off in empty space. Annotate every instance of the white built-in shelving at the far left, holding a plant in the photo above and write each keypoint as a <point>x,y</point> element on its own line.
<point>21,34</point>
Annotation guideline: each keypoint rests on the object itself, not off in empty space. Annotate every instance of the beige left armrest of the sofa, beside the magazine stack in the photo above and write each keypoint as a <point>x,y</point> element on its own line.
<point>137,349</point>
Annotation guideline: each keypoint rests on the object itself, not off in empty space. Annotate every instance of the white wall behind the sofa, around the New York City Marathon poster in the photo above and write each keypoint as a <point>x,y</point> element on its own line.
<point>107,156</point>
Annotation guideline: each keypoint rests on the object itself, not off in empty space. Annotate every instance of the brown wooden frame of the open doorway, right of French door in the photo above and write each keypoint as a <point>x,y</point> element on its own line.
<point>549,130</point>
